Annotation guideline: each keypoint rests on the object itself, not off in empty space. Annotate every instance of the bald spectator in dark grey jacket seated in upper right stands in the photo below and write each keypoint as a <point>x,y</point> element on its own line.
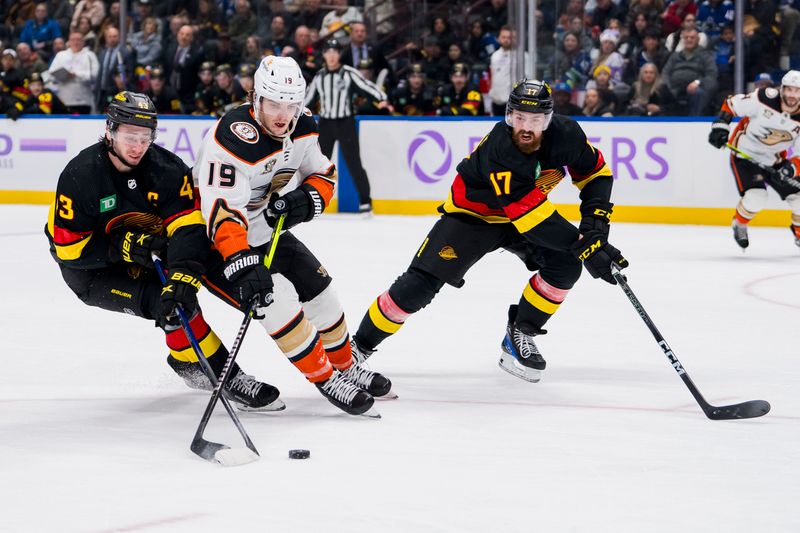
<point>691,75</point>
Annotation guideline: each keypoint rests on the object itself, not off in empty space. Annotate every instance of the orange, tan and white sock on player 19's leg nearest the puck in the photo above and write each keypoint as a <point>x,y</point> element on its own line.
<point>301,343</point>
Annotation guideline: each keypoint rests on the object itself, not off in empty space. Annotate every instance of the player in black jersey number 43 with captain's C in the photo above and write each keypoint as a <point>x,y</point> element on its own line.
<point>116,202</point>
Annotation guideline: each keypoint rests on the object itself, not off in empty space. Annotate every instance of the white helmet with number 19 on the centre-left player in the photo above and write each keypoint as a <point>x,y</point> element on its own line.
<point>279,79</point>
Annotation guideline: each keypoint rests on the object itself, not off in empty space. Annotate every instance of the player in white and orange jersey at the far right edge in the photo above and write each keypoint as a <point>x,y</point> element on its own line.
<point>769,128</point>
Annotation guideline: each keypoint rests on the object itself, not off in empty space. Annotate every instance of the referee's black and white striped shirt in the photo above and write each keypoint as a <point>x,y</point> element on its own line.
<point>335,90</point>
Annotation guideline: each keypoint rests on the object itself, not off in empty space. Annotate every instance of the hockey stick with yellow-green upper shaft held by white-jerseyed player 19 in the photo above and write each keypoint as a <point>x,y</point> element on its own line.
<point>202,447</point>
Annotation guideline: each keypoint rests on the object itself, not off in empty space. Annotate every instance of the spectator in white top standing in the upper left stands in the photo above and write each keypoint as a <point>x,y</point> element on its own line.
<point>74,70</point>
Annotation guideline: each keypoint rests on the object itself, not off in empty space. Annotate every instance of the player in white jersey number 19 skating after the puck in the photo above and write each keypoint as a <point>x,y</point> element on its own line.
<point>260,161</point>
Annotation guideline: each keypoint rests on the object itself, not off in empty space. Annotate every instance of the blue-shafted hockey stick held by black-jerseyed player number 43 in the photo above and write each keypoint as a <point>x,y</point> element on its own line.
<point>213,451</point>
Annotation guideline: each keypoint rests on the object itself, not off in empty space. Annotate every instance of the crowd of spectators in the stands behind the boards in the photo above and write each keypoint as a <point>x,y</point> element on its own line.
<point>602,57</point>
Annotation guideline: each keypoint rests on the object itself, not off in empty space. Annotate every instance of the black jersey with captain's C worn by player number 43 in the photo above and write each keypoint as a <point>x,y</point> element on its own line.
<point>94,200</point>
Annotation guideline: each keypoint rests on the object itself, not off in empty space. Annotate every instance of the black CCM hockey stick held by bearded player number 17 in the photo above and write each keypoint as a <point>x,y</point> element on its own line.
<point>750,409</point>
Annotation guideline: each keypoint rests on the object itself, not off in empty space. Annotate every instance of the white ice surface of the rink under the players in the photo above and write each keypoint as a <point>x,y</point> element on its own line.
<point>95,428</point>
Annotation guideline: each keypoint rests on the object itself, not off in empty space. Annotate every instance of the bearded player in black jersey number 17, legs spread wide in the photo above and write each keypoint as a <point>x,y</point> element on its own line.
<point>499,200</point>
